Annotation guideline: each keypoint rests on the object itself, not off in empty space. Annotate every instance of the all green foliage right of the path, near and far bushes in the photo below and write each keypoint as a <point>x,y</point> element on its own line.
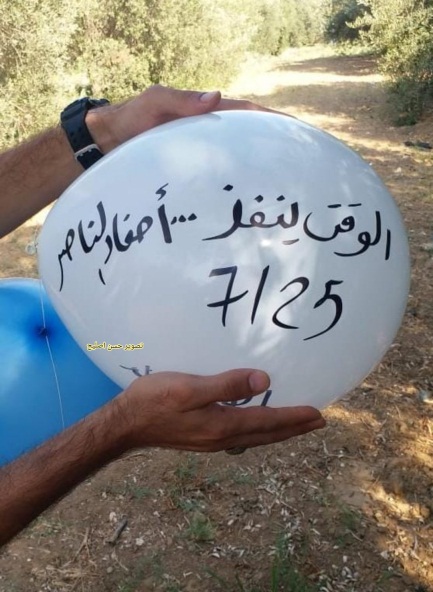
<point>400,32</point>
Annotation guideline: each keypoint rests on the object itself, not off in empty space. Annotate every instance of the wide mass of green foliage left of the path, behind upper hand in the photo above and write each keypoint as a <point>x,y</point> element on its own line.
<point>52,51</point>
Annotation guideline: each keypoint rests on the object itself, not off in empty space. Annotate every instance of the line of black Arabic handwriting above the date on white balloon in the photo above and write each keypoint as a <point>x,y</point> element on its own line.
<point>121,232</point>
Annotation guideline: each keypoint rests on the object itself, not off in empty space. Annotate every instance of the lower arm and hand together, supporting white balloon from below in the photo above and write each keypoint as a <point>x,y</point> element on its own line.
<point>168,410</point>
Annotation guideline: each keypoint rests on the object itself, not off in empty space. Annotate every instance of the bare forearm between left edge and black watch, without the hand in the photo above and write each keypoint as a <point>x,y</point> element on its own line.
<point>33,175</point>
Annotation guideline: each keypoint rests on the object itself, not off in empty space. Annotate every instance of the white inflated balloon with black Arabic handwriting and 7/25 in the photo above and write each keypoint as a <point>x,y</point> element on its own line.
<point>234,239</point>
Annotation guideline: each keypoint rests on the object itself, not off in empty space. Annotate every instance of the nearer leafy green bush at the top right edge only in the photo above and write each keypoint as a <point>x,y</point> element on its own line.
<point>401,33</point>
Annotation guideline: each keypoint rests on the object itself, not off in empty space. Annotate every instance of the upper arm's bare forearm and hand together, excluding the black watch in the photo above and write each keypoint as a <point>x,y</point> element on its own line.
<point>37,172</point>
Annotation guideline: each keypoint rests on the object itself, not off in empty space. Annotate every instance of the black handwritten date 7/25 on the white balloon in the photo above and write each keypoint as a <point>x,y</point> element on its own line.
<point>329,299</point>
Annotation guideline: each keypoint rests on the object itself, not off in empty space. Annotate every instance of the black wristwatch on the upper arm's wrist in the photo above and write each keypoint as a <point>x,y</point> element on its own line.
<point>73,121</point>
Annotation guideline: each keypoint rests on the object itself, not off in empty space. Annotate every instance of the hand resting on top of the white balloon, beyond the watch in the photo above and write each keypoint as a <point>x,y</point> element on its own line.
<point>112,125</point>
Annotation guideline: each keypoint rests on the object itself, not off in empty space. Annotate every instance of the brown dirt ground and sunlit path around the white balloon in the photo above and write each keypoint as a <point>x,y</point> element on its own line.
<point>349,509</point>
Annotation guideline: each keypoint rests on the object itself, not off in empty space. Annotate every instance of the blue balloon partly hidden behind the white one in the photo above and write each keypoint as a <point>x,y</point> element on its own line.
<point>47,382</point>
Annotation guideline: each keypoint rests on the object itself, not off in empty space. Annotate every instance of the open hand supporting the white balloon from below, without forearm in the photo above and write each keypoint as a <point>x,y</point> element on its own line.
<point>174,410</point>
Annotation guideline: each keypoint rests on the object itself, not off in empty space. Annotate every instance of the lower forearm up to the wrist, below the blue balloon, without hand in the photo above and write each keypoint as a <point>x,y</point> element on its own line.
<point>36,480</point>
